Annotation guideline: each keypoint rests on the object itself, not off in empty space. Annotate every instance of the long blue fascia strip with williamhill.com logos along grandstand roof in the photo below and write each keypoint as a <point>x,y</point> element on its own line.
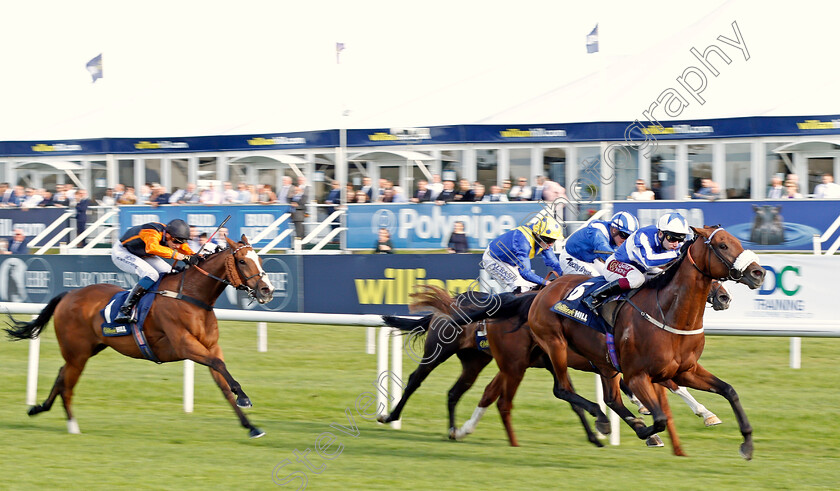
<point>816,125</point>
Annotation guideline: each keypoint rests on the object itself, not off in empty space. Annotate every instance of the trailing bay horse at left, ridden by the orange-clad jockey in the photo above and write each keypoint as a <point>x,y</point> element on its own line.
<point>182,328</point>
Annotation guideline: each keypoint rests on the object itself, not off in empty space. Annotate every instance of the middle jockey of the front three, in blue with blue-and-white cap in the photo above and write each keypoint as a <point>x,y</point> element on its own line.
<point>588,247</point>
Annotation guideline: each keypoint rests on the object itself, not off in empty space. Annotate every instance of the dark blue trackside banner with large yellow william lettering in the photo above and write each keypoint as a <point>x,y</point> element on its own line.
<point>381,283</point>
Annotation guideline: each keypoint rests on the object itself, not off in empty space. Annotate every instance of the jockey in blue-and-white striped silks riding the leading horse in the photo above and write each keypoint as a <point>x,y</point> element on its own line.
<point>641,254</point>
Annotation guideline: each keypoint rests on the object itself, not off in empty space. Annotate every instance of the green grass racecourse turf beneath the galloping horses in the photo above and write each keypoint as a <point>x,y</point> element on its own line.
<point>136,435</point>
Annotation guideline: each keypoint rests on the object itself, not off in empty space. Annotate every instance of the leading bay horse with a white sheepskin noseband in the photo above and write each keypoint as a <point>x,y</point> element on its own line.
<point>658,332</point>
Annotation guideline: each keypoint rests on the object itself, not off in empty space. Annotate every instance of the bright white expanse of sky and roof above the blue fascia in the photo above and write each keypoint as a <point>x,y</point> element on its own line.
<point>180,68</point>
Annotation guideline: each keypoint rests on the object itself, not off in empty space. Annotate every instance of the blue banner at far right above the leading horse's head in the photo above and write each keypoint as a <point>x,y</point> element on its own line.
<point>783,225</point>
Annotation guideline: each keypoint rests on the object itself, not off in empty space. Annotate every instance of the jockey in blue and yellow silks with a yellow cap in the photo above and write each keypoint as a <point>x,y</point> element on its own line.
<point>508,257</point>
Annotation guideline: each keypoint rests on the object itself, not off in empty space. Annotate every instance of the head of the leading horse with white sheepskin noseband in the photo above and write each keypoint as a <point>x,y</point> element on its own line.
<point>731,260</point>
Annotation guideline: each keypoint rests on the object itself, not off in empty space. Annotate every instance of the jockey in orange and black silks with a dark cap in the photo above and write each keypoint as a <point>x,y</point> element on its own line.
<point>143,250</point>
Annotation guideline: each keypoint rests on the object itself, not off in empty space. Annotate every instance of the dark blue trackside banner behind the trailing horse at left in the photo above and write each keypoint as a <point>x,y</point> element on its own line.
<point>37,279</point>
